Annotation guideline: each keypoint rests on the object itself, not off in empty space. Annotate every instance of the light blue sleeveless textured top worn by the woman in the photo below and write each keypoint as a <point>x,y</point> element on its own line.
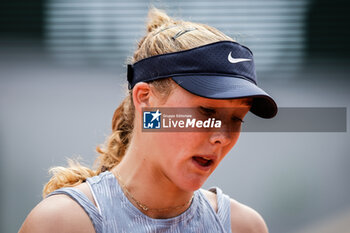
<point>116,214</point>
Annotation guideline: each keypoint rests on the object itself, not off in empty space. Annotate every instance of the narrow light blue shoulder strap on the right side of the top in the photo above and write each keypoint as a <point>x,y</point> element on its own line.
<point>224,207</point>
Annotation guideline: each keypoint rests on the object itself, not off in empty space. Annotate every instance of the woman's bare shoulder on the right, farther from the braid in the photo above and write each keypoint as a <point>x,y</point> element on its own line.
<point>246,220</point>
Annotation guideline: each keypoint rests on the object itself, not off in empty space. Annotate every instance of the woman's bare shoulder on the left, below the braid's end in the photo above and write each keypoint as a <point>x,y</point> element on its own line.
<point>57,213</point>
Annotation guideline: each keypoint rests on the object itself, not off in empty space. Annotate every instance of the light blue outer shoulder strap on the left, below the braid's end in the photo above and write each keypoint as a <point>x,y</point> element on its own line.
<point>85,203</point>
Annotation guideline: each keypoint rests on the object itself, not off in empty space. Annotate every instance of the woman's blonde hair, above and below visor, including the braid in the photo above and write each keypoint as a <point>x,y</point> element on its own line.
<point>164,35</point>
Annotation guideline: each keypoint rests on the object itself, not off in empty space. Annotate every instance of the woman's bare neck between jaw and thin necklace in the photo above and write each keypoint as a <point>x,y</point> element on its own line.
<point>149,186</point>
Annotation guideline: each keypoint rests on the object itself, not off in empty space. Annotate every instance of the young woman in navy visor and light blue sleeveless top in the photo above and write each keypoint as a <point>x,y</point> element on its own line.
<point>151,182</point>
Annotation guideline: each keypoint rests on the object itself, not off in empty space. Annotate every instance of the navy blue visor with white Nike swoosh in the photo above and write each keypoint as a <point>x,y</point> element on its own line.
<point>220,70</point>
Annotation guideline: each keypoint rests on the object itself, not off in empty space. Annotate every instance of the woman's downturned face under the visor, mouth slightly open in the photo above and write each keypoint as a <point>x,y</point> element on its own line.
<point>188,158</point>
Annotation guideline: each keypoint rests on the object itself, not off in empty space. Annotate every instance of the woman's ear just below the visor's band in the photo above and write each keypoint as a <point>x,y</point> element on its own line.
<point>142,96</point>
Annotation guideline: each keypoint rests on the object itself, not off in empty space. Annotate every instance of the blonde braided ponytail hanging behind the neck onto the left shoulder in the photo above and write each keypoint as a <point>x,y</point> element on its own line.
<point>111,153</point>
